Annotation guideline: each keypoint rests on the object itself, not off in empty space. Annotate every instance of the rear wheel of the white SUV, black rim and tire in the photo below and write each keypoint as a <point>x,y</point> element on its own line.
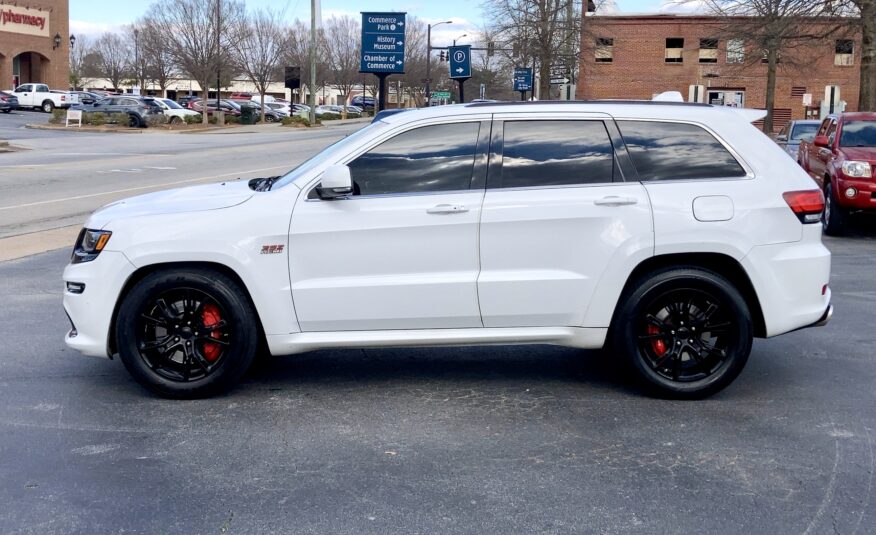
<point>655,331</point>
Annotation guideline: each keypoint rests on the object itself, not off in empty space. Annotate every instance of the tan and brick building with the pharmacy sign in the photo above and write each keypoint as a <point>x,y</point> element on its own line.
<point>34,43</point>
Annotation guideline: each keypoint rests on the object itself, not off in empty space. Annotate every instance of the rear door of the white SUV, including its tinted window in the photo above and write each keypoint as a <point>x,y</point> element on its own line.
<point>557,216</point>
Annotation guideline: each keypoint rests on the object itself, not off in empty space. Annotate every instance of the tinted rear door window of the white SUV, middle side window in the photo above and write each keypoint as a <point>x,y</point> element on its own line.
<point>556,153</point>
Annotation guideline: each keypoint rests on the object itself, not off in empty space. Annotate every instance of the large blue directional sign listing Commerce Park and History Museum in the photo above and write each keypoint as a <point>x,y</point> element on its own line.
<point>383,43</point>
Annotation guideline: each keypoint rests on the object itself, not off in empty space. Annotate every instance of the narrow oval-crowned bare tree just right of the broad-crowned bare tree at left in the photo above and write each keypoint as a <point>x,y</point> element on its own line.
<point>261,48</point>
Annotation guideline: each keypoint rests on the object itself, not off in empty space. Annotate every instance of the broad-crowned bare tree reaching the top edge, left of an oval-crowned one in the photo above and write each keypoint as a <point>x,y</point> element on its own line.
<point>200,34</point>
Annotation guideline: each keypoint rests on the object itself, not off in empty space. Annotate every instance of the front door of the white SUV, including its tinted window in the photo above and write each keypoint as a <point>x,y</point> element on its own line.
<point>402,251</point>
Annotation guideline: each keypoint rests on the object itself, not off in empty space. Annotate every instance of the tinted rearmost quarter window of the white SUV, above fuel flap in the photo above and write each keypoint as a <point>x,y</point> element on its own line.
<point>667,151</point>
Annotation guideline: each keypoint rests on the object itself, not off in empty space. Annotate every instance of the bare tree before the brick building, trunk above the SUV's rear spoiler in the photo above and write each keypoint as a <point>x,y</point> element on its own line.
<point>776,31</point>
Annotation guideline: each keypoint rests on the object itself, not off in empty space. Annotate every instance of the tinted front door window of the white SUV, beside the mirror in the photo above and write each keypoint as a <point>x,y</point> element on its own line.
<point>431,158</point>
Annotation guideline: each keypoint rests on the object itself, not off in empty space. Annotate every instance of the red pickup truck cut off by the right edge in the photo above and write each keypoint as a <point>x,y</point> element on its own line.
<point>841,159</point>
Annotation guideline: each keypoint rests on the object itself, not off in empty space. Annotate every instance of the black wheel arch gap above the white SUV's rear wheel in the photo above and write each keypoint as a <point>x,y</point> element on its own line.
<point>722,264</point>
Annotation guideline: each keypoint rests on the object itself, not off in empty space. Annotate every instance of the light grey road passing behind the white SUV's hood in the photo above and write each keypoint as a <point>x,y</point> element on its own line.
<point>64,176</point>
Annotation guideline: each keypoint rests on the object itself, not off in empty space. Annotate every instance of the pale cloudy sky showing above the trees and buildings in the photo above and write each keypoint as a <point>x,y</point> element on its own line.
<point>96,16</point>
